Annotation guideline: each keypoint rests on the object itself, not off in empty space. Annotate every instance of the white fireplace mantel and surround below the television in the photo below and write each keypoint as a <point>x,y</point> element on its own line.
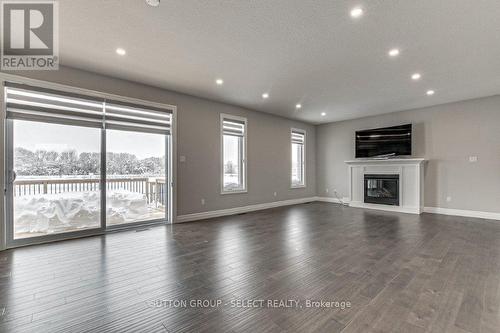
<point>411,182</point>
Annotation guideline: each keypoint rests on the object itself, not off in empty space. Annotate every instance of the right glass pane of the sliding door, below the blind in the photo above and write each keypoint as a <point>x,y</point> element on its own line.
<point>136,177</point>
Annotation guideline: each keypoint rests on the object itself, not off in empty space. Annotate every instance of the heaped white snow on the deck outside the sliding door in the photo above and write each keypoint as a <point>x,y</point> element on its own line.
<point>54,213</point>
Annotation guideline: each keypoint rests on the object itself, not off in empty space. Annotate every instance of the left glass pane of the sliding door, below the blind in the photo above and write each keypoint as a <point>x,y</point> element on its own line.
<point>55,178</point>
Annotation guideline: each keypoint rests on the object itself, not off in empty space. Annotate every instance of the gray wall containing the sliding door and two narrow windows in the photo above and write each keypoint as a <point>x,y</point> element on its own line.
<point>198,139</point>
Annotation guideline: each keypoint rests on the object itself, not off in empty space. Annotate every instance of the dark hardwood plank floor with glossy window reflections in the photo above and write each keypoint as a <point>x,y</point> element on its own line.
<point>400,273</point>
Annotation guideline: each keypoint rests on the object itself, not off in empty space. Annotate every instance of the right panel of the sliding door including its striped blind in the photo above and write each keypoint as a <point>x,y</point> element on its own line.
<point>137,149</point>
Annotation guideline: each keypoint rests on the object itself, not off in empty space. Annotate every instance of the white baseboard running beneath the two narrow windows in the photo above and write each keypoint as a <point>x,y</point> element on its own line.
<point>239,210</point>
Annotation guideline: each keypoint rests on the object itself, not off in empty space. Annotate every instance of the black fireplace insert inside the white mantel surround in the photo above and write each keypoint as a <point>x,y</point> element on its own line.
<point>382,189</point>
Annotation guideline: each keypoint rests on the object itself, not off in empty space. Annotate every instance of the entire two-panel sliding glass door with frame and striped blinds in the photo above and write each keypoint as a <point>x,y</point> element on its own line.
<point>78,165</point>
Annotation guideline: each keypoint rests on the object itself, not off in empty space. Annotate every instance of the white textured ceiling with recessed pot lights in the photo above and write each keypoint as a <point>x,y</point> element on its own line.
<point>300,51</point>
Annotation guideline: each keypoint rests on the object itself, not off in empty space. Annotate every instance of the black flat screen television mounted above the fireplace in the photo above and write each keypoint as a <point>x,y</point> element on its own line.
<point>384,142</point>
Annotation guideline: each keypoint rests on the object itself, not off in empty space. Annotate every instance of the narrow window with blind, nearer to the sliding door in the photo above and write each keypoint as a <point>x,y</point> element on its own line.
<point>233,142</point>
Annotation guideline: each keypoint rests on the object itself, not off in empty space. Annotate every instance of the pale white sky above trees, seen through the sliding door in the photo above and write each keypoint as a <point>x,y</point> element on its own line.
<point>37,136</point>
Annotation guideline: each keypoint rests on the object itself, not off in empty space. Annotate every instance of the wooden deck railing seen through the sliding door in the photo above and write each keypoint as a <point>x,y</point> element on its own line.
<point>152,188</point>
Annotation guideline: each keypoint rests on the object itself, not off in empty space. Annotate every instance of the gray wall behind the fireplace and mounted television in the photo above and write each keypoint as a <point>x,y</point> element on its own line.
<point>446,135</point>
